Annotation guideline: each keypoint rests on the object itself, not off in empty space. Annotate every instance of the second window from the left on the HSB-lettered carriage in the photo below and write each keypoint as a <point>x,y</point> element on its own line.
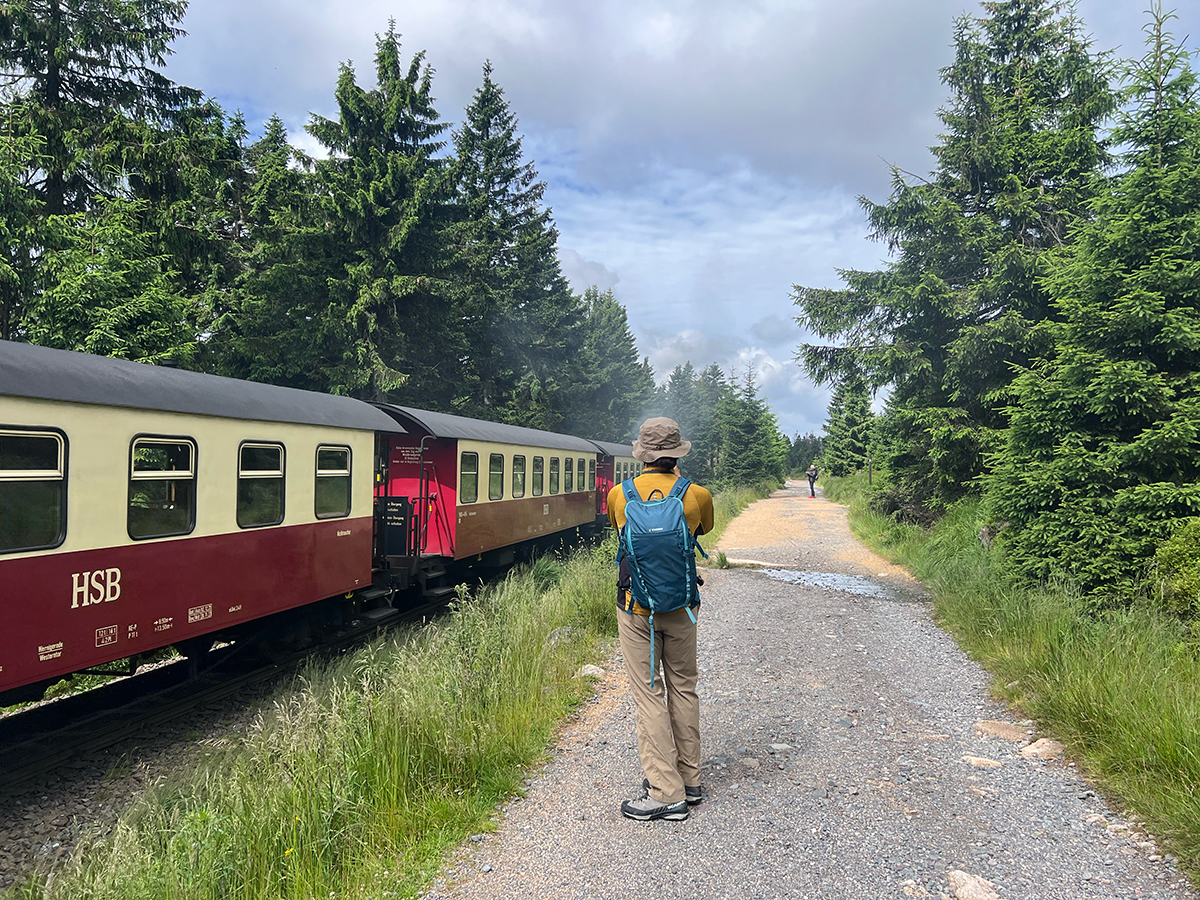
<point>163,488</point>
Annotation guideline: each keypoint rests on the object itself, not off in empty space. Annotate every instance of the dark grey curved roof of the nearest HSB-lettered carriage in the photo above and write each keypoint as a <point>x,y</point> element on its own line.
<point>45,374</point>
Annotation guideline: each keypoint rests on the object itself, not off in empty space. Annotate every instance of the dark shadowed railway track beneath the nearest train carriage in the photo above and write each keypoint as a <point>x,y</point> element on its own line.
<point>45,739</point>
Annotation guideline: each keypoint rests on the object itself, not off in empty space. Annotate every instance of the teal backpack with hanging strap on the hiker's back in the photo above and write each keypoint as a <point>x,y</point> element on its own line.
<point>659,550</point>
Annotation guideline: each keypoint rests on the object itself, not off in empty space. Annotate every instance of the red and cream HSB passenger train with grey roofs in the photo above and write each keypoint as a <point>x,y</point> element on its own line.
<point>148,507</point>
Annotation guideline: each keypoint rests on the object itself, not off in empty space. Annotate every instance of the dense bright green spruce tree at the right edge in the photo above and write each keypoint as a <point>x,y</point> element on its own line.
<point>1103,455</point>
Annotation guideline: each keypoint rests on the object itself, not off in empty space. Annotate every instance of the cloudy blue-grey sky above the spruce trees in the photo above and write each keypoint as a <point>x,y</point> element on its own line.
<point>701,157</point>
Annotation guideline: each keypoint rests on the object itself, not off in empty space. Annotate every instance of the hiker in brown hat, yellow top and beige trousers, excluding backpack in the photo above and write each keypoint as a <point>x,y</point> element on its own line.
<point>668,707</point>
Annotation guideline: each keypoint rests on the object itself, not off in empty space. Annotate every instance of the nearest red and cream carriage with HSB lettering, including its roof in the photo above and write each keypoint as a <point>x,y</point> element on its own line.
<point>143,507</point>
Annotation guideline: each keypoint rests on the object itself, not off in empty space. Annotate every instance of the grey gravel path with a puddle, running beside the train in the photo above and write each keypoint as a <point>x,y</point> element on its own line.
<point>851,752</point>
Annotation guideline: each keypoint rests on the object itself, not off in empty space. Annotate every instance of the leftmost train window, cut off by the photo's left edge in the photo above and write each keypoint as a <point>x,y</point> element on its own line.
<point>33,490</point>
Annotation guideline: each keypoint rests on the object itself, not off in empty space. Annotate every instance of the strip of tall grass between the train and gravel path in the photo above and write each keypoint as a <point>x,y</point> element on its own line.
<point>356,783</point>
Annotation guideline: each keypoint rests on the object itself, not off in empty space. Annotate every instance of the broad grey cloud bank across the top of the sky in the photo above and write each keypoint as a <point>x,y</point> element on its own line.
<point>787,87</point>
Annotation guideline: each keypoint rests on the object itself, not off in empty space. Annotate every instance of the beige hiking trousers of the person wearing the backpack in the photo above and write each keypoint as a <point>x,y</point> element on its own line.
<point>668,715</point>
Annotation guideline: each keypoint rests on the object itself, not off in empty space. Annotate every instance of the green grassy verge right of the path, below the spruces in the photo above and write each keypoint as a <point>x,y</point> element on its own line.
<point>1121,691</point>
